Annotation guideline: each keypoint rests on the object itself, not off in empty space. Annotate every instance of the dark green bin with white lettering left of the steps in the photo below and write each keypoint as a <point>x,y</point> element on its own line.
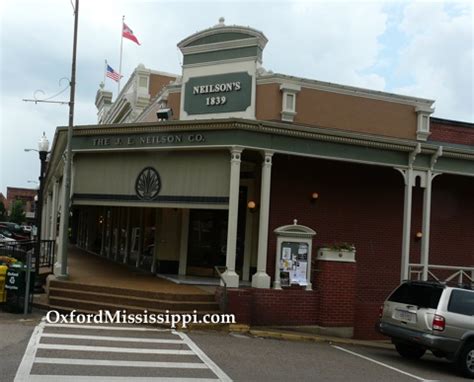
<point>15,286</point>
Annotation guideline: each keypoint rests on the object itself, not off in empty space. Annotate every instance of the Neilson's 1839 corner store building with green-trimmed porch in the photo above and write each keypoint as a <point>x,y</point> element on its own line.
<point>247,151</point>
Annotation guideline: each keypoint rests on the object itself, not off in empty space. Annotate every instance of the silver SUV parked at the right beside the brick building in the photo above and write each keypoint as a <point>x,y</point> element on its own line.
<point>420,316</point>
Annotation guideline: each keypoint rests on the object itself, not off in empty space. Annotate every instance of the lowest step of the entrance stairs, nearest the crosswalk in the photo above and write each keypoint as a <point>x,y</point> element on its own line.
<point>91,306</point>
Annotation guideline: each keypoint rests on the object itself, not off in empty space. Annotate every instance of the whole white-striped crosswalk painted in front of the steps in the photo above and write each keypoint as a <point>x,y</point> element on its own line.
<point>30,362</point>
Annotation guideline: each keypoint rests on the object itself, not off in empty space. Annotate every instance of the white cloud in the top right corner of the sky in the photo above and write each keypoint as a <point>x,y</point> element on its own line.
<point>438,56</point>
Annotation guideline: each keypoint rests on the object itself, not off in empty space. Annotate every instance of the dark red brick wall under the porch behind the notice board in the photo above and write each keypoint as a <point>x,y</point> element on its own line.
<point>363,205</point>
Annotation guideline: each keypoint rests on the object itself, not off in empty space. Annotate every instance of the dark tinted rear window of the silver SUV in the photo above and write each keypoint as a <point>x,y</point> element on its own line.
<point>424,296</point>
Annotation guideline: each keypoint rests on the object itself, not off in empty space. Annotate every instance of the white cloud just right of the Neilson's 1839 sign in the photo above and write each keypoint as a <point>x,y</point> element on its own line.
<point>331,41</point>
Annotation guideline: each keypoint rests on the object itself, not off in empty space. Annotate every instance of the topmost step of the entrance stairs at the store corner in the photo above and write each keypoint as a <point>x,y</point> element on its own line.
<point>58,284</point>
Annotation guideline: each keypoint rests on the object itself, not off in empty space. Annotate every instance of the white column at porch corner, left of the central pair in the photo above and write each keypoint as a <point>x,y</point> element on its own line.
<point>230,276</point>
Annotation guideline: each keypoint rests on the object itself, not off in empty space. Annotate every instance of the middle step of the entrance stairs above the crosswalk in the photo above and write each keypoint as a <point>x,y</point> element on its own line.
<point>148,303</point>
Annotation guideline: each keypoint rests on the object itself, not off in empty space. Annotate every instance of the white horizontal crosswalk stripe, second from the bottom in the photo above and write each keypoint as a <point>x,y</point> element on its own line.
<point>100,362</point>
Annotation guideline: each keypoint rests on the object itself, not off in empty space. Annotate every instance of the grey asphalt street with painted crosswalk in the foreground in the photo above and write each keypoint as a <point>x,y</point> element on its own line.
<point>35,351</point>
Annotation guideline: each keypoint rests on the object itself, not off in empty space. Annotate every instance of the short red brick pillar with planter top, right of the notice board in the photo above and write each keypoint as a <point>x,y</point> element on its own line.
<point>335,281</point>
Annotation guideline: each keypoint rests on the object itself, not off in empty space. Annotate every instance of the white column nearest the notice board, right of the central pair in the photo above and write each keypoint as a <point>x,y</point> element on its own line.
<point>261,279</point>
